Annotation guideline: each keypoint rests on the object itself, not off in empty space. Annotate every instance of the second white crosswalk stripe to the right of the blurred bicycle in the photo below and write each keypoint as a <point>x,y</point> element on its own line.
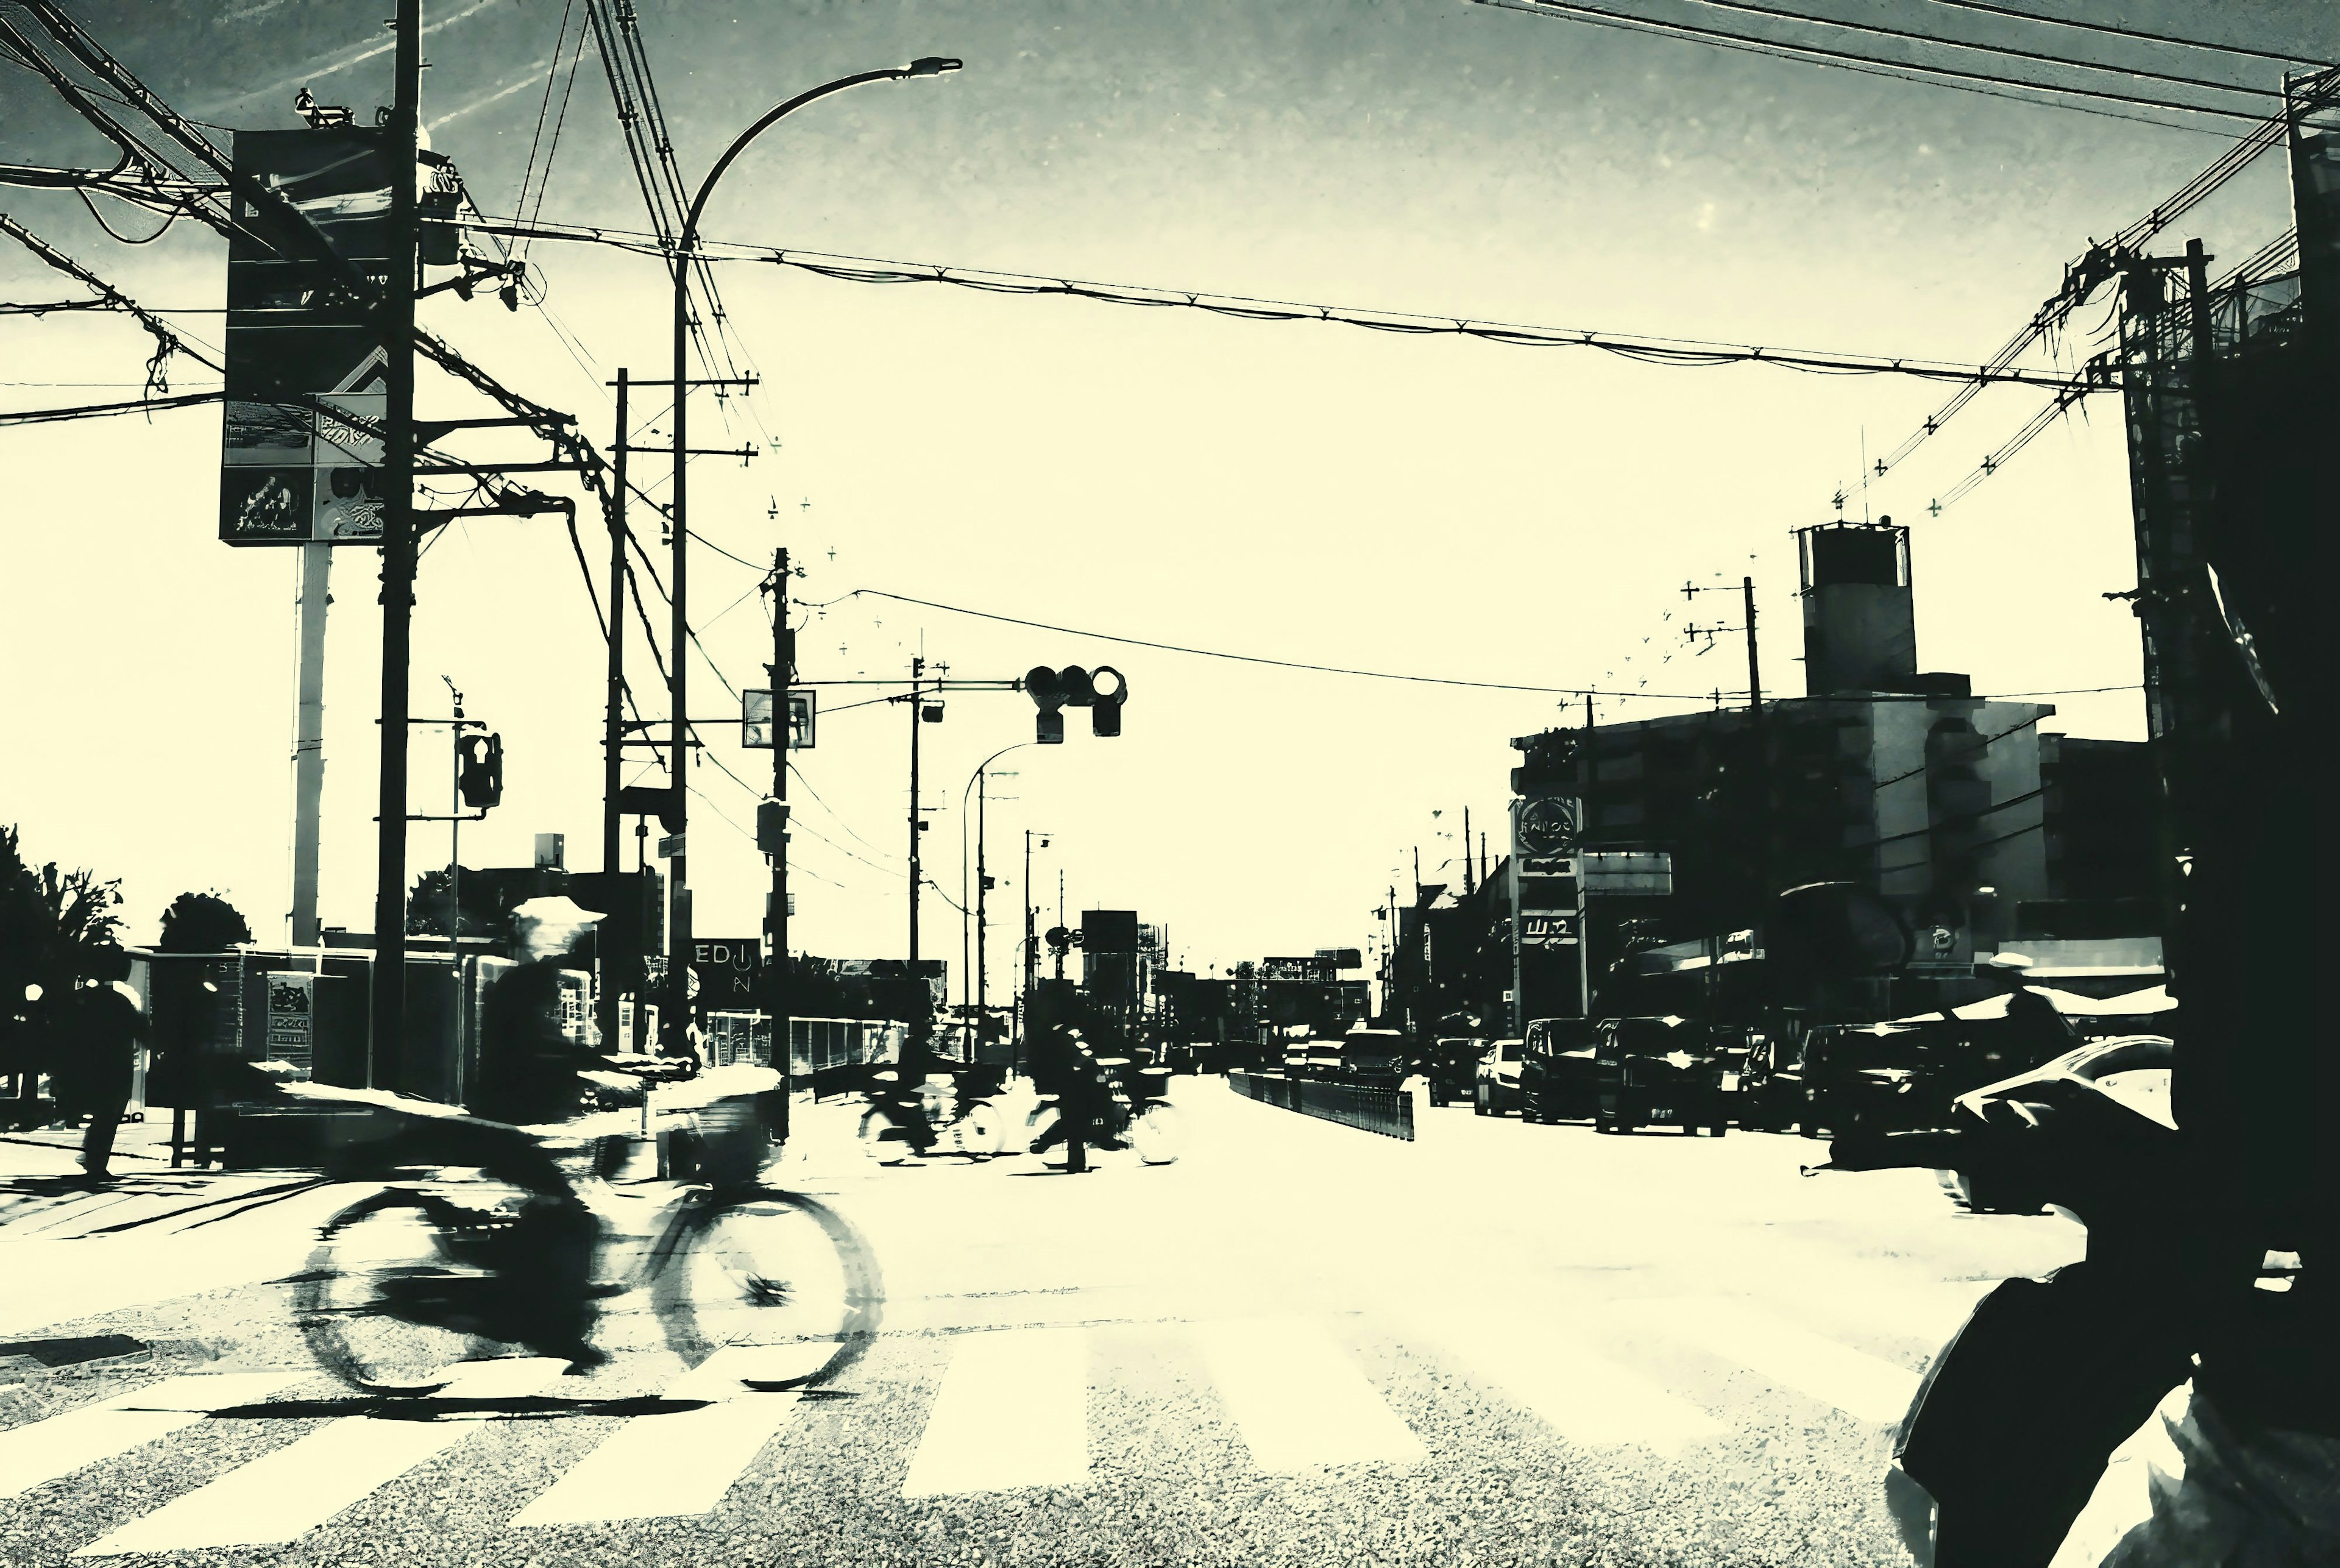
<point>1298,1396</point>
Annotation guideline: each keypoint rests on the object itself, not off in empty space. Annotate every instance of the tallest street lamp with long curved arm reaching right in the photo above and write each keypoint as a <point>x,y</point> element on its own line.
<point>680,926</point>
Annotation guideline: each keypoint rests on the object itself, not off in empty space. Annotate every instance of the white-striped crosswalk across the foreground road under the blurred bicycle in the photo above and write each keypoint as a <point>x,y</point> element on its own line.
<point>1010,1410</point>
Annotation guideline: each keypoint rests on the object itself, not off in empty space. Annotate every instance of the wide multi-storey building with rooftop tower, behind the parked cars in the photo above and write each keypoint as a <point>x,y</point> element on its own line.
<point>1957,809</point>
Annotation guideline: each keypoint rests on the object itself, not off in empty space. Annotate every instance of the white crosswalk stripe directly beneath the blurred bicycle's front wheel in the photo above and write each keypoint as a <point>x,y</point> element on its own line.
<point>673,1466</point>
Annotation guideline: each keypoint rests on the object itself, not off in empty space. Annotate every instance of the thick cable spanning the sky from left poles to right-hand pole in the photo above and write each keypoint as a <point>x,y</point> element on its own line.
<point>1646,348</point>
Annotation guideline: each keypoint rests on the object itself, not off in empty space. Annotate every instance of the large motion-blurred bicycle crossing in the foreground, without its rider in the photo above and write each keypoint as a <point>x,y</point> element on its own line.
<point>420,1277</point>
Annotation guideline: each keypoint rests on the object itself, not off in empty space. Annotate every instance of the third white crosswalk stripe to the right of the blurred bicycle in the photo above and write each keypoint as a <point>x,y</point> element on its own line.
<point>1574,1389</point>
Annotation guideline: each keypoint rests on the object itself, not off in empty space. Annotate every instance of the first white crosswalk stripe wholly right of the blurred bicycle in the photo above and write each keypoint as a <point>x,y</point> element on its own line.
<point>1012,1412</point>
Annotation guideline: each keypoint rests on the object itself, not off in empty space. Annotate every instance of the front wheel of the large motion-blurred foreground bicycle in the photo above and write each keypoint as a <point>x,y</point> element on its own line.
<point>778,1279</point>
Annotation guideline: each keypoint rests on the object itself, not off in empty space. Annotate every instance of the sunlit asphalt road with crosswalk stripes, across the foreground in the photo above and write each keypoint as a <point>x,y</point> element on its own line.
<point>1300,1345</point>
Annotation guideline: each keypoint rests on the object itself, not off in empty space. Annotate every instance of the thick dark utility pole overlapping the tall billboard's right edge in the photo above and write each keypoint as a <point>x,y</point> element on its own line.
<point>390,991</point>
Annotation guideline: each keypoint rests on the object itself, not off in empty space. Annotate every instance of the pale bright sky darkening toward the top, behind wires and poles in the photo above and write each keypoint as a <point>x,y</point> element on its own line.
<point>1300,493</point>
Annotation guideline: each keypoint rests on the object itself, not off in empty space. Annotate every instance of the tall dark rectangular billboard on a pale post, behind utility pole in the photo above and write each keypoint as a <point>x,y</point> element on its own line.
<point>308,369</point>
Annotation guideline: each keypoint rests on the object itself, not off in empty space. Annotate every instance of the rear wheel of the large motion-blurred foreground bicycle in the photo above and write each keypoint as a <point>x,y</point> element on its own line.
<point>376,1258</point>
